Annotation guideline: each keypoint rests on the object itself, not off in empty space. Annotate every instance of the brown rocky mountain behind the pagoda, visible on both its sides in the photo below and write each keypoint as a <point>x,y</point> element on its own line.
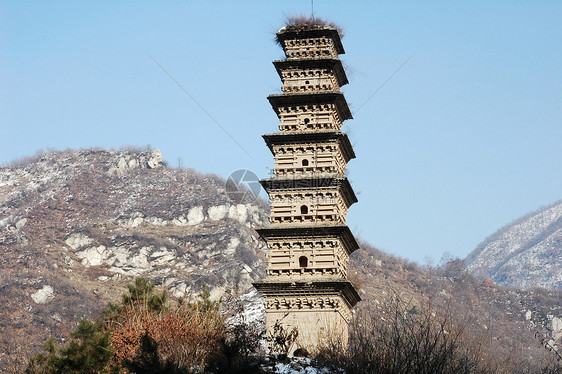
<point>77,226</point>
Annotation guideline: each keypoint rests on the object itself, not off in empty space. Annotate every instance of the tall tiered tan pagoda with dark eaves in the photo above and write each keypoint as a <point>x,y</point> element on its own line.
<point>307,293</point>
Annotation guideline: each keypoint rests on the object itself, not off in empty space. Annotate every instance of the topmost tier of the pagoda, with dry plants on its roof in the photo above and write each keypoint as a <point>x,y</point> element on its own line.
<point>305,38</point>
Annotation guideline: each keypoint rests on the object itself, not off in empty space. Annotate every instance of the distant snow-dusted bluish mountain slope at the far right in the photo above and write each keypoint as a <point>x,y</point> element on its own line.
<point>525,253</point>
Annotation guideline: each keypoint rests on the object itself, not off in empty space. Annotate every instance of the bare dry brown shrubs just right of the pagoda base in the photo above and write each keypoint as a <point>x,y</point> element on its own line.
<point>400,336</point>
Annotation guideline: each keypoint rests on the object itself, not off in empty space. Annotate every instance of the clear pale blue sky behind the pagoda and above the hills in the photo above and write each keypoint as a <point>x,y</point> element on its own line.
<point>464,138</point>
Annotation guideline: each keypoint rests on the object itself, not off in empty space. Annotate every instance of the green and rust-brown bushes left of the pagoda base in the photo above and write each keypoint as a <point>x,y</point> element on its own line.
<point>148,333</point>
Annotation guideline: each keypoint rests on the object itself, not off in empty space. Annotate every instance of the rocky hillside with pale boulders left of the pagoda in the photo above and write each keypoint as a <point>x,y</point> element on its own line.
<point>76,227</point>
